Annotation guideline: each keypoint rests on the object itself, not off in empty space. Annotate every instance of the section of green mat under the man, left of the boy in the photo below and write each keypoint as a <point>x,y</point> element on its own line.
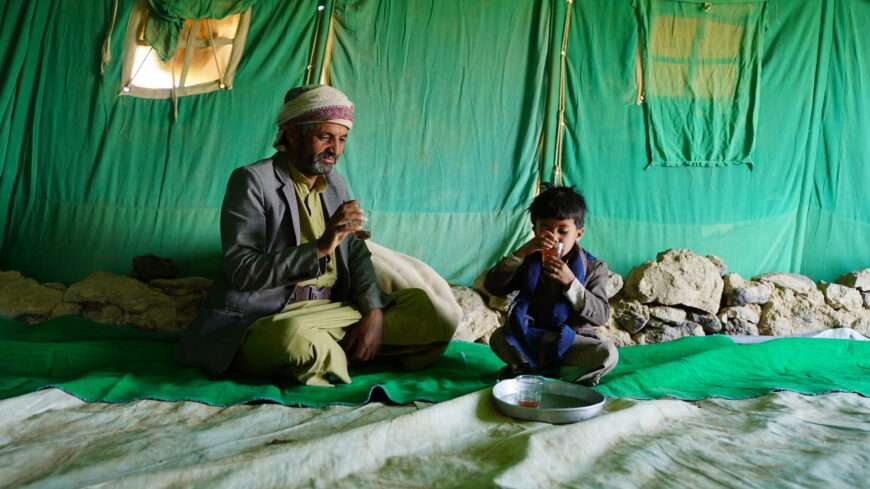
<point>117,364</point>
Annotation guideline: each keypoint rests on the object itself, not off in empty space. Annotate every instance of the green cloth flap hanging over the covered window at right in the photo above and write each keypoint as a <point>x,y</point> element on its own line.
<point>701,71</point>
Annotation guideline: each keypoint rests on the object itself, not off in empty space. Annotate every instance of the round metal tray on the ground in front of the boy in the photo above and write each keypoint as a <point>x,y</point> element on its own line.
<point>561,402</point>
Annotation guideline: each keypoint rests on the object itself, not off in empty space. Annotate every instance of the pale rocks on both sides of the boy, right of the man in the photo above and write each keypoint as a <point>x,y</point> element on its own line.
<point>682,294</point>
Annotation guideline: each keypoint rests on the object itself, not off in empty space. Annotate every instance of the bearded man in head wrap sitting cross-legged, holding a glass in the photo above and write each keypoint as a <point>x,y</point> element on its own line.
<point>297,295</point>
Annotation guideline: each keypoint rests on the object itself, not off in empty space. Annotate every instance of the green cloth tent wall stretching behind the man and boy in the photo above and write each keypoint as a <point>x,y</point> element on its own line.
<point>456,116</point>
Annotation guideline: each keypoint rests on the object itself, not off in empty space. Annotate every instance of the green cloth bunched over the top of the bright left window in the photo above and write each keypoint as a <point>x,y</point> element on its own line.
<point>167,17</point>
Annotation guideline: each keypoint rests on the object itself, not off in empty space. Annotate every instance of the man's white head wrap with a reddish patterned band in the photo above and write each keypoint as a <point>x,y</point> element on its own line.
<point>311,104</point>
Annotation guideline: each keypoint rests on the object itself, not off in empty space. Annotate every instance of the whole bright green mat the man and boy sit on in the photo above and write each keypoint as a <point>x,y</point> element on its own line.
<point>113,364</point>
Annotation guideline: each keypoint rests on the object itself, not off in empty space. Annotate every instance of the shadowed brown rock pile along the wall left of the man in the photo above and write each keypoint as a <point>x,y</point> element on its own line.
<point>161,304</point>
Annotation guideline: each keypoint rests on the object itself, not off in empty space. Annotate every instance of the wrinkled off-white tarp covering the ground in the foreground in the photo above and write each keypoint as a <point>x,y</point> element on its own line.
<point>49,439</point>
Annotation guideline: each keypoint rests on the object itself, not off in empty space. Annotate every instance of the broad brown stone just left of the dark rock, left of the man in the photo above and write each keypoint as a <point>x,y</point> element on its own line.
<point>127,293</point>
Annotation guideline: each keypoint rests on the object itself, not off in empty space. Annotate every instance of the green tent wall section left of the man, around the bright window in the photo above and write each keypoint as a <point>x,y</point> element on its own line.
<point>91,179</point>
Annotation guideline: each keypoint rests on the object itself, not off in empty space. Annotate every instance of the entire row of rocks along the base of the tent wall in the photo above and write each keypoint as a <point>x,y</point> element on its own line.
<point>678,294</point>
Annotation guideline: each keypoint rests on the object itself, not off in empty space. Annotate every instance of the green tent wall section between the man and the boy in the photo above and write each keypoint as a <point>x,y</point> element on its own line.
<point>444,152</point>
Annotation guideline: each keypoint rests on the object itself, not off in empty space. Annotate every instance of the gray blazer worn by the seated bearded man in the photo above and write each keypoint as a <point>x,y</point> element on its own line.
<point>263,261</point>
